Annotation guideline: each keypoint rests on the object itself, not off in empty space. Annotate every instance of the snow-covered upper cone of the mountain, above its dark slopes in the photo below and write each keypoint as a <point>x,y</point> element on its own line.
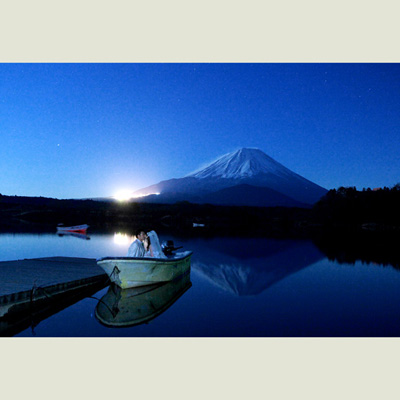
<point>243,163</point>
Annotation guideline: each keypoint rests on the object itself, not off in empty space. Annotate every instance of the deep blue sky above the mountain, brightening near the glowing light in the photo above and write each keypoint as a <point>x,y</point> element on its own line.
<point>91,130</point>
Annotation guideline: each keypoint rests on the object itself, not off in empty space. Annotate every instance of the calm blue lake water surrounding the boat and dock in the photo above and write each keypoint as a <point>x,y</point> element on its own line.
<point>237,287</point>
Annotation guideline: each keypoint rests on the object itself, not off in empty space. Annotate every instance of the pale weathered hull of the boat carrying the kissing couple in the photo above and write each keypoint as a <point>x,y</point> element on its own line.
<point>129,272</point>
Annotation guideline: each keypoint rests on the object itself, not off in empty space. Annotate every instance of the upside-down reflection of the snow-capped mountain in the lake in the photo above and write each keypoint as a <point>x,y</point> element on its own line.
<point>249,266</point>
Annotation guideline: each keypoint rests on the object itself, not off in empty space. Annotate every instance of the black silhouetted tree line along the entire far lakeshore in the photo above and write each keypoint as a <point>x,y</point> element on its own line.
<point>345,208</point>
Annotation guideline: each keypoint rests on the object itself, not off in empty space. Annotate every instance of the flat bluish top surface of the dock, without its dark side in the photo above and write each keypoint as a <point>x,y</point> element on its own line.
<point>22,275</point>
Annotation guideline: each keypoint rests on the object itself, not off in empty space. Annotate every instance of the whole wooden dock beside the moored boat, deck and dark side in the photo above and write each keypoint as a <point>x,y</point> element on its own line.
<point>34,289</point>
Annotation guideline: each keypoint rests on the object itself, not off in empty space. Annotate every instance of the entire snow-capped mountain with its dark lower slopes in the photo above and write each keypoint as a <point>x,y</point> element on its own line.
<point>245,177</point>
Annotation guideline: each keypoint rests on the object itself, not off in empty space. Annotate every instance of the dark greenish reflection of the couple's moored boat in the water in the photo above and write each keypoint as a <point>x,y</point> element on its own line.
<point>135,306</point>
